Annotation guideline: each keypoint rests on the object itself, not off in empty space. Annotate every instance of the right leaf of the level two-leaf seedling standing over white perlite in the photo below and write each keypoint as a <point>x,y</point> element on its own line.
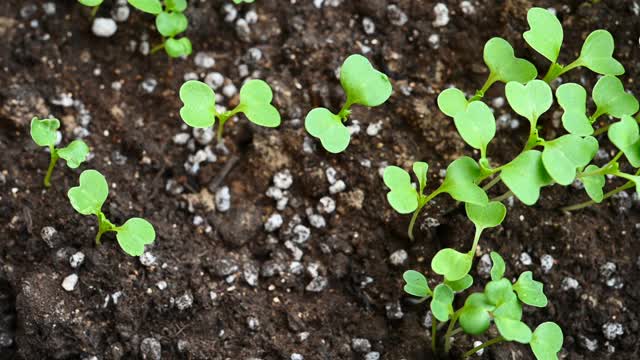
<point>255,103</point>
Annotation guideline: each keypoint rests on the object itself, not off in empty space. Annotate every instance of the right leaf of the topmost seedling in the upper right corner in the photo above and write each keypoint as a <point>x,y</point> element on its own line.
<point>597,54</point>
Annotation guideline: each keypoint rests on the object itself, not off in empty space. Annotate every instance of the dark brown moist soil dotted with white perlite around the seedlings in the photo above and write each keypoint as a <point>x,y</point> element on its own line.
<point>215,284</point>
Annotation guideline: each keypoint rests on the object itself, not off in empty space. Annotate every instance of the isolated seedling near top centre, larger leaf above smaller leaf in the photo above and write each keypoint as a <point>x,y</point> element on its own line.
<point>363,85</point>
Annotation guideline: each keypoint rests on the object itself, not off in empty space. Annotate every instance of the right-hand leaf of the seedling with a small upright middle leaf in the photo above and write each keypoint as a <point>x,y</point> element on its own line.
<point>460,182</point>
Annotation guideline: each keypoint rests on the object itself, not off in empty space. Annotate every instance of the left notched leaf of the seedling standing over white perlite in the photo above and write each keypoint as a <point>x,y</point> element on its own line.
<point>199,104</point>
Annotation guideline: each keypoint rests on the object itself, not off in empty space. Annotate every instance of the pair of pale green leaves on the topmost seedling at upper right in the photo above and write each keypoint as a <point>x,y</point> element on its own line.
<point>546,36</point>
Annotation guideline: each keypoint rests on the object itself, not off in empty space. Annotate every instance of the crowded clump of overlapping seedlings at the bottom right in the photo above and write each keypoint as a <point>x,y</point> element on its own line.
<point>500,303</point>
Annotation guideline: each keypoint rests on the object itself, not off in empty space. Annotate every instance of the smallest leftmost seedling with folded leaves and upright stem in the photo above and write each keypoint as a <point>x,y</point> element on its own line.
<point>44,133</point>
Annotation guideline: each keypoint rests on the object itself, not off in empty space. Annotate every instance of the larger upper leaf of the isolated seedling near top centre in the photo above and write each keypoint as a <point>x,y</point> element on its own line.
<point>363,84</point>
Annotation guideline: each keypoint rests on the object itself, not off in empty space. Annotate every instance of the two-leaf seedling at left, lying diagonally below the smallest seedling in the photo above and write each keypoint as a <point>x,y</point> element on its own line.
<point>88,198</point>
